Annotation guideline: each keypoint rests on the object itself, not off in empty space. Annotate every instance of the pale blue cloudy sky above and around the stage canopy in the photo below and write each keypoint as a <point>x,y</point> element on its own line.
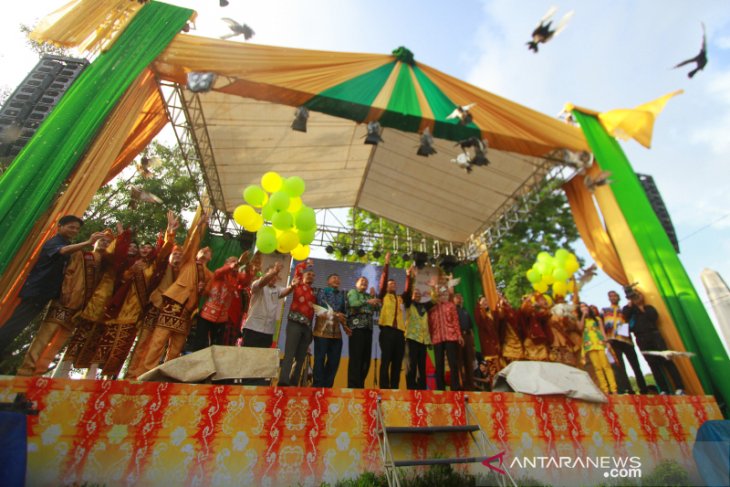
<point>615,54</point>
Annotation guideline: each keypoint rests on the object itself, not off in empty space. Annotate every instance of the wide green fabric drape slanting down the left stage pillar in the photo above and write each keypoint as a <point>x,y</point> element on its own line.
<point>36,175</point>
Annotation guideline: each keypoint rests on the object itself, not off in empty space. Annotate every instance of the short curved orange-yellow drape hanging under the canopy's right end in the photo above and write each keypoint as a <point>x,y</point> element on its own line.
<point>591,229</point>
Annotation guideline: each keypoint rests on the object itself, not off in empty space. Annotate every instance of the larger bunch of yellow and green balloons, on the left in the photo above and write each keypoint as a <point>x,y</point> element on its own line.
<point>293,224</point>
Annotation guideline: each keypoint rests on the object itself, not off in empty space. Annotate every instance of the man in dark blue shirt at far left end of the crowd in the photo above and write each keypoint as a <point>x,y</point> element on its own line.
<point>45,278</point>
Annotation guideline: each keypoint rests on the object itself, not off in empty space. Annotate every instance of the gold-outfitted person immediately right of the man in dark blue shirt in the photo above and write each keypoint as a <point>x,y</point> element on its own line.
<point>81,277</point>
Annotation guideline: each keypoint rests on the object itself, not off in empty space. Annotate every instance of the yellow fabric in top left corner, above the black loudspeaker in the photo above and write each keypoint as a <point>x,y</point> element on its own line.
<point>88,25</point>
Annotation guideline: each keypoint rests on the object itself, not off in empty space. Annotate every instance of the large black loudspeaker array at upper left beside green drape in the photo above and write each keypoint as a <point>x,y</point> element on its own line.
<point>32,101</point>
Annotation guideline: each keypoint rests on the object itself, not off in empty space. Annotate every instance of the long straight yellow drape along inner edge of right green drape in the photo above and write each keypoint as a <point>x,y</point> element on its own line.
<point>637,271</point>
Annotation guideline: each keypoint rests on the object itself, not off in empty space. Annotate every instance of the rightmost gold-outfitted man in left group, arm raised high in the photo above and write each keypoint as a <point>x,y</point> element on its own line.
<point>179,302</point>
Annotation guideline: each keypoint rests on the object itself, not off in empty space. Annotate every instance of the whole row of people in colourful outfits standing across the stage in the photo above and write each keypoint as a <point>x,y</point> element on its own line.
<point>140,303</point>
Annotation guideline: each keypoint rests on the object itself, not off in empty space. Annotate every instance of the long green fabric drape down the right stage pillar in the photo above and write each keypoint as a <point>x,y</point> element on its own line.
<point>690,317</point>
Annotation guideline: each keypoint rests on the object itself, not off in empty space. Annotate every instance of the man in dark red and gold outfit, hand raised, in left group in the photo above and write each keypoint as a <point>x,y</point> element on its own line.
<point>120,320</point>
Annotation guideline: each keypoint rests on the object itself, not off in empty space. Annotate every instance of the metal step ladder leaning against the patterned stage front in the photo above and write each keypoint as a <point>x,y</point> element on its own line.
<point>475,431</point>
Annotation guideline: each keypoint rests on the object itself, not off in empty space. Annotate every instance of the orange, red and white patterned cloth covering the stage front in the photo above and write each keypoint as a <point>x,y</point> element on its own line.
<point>133,433</point>
